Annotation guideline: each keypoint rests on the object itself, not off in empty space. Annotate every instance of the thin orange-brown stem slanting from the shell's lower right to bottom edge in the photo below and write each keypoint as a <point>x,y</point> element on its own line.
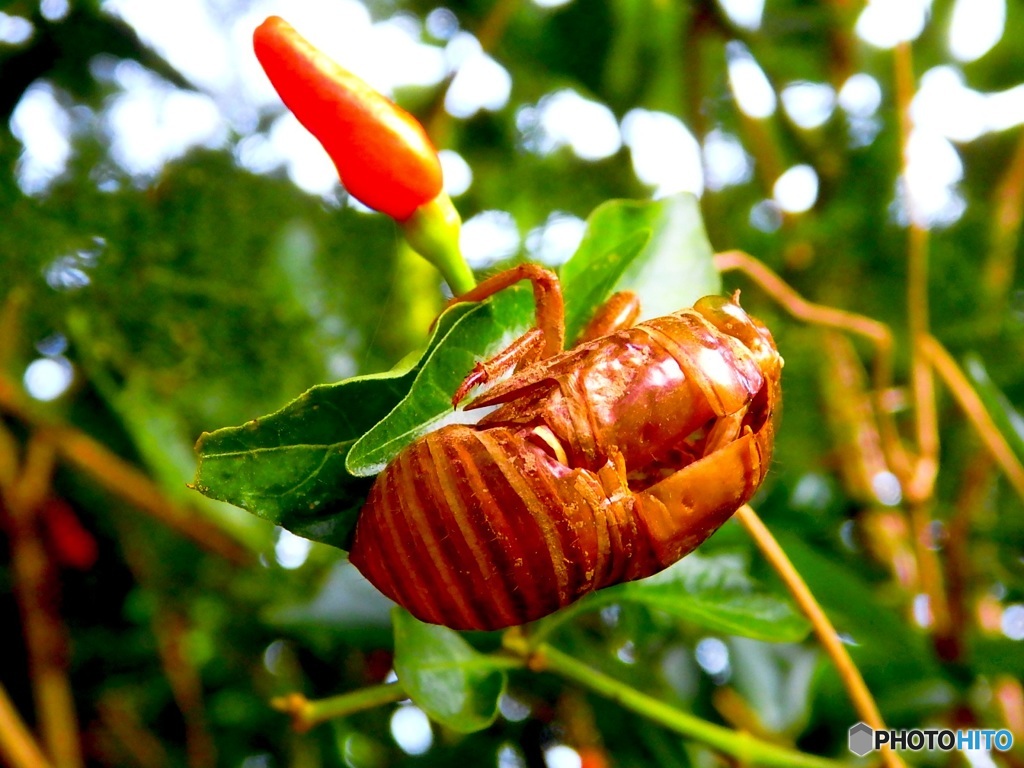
<point>848,672</point>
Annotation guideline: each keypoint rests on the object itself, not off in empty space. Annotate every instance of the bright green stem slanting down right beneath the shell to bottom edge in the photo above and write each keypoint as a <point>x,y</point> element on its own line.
<point>743,747</point>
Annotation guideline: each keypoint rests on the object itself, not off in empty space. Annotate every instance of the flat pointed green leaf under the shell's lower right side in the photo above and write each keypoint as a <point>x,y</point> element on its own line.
<point>716,593</point>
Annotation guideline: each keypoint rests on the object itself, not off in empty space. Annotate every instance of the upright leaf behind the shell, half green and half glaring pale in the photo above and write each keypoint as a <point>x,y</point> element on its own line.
<point>658,249</point>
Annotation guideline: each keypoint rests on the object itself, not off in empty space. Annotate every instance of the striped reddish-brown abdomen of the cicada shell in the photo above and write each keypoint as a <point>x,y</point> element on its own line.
<point>482,529</point>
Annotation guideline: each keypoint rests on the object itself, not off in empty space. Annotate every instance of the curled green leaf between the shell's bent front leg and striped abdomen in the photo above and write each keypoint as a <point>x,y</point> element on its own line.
<point>484,330</point>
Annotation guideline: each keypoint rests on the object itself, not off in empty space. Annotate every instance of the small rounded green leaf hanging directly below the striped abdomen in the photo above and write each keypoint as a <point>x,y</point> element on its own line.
<point>453,684</point>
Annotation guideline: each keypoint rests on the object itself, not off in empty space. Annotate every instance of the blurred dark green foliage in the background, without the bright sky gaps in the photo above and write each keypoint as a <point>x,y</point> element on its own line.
<point>209,295</point>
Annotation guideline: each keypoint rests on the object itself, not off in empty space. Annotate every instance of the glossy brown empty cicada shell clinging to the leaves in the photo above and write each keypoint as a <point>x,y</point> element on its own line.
<point>603,464</point>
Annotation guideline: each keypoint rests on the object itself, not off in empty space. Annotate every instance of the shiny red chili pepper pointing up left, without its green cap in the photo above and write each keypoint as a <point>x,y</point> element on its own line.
<point>382,154</point>
